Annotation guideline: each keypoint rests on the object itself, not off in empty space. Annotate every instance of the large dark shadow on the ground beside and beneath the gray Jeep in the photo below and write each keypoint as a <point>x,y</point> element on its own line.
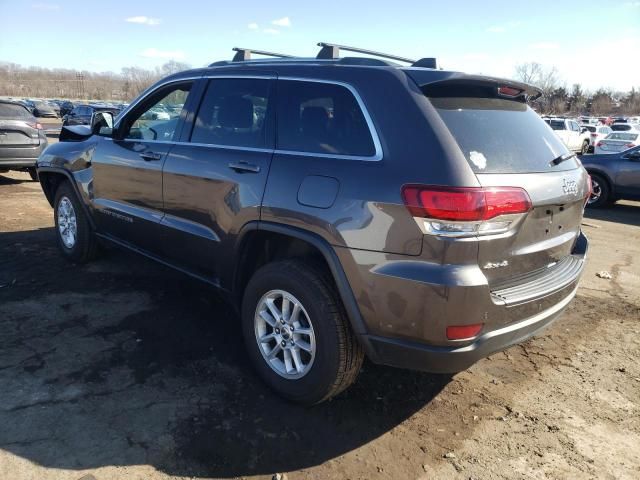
<point>124,362</point>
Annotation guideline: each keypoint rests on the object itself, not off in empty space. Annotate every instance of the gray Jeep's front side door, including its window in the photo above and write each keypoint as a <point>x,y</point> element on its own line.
<point>127,169</point>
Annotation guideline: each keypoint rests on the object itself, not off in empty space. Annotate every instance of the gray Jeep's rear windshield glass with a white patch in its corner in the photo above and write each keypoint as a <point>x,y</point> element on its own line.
<point>502,136</point>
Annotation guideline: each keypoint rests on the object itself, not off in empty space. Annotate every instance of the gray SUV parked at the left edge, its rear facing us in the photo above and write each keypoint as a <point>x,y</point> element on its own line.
<point>22,139</point>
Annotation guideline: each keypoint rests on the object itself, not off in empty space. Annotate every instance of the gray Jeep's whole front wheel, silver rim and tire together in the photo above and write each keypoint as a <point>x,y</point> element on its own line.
<point>75,237</point>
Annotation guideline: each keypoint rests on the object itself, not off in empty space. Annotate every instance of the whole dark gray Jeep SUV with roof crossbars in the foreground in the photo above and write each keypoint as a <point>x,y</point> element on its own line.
<point>347,206</point>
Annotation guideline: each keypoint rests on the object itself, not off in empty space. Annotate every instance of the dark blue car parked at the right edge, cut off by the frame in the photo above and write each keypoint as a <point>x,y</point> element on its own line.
<point>614,177</point>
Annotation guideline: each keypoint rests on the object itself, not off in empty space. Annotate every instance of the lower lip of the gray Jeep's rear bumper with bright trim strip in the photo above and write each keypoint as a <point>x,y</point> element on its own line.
<point>415,356</point>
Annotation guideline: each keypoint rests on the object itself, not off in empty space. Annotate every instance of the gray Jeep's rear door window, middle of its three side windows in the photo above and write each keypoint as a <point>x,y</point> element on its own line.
<point>234,112</point>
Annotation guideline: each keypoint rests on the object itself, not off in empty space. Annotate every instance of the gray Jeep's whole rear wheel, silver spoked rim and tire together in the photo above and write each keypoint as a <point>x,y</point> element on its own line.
<point>297,334</point>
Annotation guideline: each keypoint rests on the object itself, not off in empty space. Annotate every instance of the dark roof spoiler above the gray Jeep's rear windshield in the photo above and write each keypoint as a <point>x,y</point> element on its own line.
<point>455,84</point>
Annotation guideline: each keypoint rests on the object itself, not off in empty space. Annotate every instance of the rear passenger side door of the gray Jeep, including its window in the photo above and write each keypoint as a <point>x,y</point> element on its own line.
<point>214,178</point>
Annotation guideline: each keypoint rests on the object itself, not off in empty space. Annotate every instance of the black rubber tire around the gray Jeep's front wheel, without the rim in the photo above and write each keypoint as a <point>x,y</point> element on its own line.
<point>85,247</point>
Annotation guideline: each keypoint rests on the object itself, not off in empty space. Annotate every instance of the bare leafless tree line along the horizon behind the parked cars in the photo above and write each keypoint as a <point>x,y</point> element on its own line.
<point>20,81</point>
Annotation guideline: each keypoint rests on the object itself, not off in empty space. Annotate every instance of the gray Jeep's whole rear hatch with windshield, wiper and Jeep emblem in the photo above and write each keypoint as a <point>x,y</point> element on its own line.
<point>508,145</point>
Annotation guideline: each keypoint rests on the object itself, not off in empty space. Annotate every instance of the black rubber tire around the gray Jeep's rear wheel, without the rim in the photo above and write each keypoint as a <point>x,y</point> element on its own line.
<point>338,355</point>
